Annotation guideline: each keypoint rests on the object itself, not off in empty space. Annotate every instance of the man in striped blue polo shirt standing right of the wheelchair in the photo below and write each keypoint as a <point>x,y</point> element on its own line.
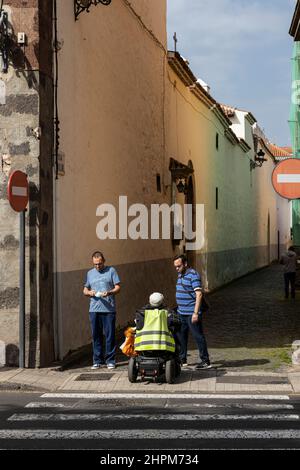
<point>188,297</point>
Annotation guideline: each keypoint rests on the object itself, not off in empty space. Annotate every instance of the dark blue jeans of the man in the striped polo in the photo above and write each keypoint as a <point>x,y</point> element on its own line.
<point>198,335</point>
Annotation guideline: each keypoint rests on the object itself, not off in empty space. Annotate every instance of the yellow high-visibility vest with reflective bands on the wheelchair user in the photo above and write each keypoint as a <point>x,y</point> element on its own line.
<point>155,334</point>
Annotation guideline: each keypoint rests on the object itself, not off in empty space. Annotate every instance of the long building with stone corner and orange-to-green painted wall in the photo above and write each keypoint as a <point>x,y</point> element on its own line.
<point>104,119</point>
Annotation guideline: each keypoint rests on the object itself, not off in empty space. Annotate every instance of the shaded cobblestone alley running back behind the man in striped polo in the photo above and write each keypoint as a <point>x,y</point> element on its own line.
<point>250,323</point>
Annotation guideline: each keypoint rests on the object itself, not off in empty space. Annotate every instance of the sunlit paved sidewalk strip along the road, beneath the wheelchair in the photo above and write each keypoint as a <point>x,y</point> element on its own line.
<point>190,380</point>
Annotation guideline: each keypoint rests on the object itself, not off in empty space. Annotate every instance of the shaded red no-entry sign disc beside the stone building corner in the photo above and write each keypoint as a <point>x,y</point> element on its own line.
<point>18,191</point>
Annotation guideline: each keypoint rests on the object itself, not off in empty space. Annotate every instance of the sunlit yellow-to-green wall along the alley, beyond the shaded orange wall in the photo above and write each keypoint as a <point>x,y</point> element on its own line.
<point>236,235</point>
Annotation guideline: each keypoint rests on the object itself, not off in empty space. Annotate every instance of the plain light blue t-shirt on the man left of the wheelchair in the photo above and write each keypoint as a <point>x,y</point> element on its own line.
<point>102,281</point>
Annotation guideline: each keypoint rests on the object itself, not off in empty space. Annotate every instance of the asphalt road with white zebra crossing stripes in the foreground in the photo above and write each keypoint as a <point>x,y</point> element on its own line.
<point>35,421</point>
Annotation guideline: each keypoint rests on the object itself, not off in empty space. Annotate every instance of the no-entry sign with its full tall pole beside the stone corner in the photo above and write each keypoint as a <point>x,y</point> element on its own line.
<point>18,196</point>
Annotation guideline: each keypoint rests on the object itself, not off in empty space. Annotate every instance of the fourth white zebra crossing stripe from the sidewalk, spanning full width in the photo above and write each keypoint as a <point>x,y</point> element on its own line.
<point>147,434</point>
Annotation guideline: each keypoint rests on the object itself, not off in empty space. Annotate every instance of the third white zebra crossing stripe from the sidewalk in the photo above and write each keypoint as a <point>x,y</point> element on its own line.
<point>147,417</point>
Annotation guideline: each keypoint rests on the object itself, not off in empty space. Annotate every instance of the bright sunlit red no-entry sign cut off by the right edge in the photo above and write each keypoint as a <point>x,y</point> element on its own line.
<point>286,178</point>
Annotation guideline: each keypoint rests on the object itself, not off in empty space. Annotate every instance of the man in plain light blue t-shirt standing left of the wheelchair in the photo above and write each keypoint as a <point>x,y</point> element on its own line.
<point>102,284</point>
